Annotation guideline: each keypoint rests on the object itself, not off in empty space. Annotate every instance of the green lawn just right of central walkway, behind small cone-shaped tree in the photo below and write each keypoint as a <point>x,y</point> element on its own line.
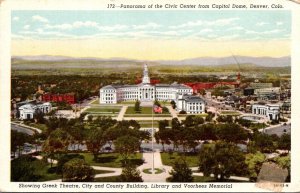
<point>191,159</point>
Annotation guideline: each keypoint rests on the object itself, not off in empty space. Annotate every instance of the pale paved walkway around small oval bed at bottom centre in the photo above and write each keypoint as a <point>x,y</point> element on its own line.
<point>148,158</point>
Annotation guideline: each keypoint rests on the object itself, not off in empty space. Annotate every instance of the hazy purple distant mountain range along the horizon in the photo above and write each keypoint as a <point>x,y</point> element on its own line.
<point>201,61</point>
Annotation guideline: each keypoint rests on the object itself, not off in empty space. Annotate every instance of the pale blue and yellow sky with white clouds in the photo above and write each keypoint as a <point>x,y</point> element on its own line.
<point>151,35</point>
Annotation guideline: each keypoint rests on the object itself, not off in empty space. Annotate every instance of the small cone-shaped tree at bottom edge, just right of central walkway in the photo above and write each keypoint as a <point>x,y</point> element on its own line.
<point>181,172</point>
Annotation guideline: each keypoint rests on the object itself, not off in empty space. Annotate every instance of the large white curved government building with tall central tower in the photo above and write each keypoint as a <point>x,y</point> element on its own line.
<point>145,91</point>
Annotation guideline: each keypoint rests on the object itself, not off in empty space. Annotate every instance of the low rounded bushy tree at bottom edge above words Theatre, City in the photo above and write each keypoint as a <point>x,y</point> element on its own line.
<point>77,170</point>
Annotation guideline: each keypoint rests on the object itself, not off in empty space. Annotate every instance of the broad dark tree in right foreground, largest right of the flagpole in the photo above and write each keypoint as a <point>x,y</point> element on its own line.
<point>222,160</point>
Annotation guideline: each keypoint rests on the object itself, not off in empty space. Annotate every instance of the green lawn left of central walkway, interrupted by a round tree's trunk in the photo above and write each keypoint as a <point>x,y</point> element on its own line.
<point>111,159</point>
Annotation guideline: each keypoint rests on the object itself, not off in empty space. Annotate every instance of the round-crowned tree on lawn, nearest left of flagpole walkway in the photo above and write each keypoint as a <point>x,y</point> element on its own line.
<point>127,145</point>
